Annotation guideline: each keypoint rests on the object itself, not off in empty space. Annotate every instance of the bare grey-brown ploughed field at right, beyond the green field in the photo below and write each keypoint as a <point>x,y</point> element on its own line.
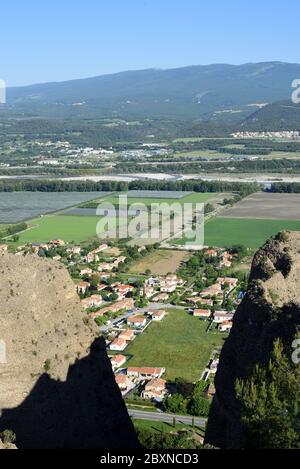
<point>267,206</point>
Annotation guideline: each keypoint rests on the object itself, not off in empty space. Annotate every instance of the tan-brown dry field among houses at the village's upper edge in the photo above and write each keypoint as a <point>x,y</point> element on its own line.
<point>160,262</point>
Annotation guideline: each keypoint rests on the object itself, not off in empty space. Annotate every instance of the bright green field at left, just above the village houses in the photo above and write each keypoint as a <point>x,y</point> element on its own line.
<point>68,228</point>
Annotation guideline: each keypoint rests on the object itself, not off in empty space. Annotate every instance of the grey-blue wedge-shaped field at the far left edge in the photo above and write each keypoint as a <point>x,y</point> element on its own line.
<point>18,206</point>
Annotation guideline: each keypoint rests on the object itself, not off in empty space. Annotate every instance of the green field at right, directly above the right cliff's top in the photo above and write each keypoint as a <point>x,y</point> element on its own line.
<point>252,232</point>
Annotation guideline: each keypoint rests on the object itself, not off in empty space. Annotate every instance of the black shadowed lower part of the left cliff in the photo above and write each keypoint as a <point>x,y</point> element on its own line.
<point>86,411</point>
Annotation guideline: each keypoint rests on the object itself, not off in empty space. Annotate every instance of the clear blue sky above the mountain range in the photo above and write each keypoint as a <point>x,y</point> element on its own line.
<point>59,40</point>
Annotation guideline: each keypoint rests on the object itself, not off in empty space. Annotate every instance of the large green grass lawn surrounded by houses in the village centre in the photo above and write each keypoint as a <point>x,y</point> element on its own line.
<point>179,343</point>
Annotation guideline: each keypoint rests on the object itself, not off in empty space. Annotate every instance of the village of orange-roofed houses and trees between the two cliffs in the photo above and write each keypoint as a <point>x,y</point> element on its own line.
<point>125,307</point>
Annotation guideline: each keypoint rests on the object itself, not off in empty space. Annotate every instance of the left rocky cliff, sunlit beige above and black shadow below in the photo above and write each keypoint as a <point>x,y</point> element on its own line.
<point>57,388</point>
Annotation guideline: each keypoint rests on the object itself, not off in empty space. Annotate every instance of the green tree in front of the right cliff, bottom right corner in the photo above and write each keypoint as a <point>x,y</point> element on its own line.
<point>270,401</point>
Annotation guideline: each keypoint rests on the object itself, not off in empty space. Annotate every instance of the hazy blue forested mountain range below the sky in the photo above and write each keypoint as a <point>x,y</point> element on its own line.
<point>217,93</point>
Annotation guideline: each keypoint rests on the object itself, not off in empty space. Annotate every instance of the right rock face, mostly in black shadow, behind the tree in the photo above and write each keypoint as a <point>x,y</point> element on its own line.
<point>270,310</point>
